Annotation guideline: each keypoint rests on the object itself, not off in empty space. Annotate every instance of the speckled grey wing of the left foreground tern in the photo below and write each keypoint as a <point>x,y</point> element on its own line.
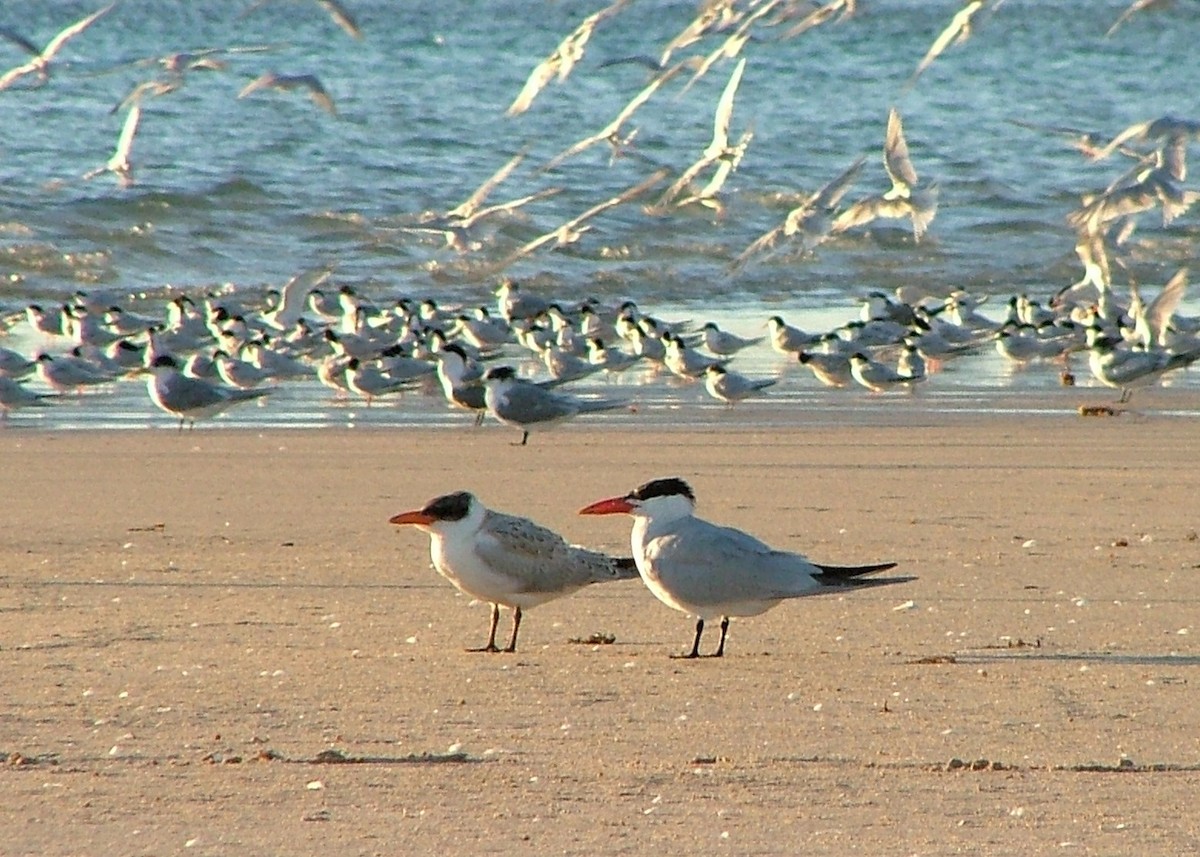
<point>539,560</point>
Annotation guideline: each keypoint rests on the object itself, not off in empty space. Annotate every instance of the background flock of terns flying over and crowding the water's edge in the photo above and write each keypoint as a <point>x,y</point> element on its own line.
<point>377,346</point>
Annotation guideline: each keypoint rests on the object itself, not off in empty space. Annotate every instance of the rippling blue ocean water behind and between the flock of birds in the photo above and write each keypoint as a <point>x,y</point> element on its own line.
<point>243,194</point>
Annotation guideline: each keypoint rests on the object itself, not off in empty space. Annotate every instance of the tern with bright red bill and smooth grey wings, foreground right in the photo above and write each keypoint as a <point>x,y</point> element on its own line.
<point>709,571</point>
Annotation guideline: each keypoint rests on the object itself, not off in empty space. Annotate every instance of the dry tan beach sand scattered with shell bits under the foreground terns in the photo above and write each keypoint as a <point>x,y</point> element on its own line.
<point>215,644</point>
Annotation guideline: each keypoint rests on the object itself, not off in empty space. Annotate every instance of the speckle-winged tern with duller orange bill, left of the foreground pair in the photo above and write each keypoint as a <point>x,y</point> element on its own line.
<point>506,560</point>
